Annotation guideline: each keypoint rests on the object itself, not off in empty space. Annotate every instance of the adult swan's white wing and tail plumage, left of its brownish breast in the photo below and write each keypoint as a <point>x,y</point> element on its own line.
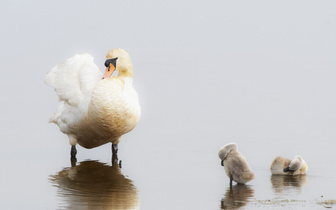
<point>73,80</point>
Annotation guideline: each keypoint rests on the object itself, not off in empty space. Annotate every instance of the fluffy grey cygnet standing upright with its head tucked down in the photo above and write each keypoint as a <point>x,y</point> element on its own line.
<point>235,164</point>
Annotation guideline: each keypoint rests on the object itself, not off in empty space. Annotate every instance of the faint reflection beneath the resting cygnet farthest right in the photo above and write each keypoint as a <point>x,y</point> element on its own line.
<point>283,182</point>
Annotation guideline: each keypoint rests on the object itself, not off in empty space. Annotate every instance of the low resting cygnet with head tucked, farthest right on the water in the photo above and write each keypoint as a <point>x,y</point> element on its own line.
<point>285,166</point>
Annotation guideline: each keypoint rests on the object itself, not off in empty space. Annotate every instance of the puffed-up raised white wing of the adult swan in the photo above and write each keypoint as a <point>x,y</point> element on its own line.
<point>74,79</point>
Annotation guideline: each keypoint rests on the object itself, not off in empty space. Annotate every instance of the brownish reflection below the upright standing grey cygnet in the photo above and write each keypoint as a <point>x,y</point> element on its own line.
<point>237,196</point>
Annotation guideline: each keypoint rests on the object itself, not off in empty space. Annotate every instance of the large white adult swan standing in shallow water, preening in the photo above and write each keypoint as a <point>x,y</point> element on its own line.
<point>94,109</point>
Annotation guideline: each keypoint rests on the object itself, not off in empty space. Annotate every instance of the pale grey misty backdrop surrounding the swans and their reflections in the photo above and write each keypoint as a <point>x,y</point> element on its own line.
<point>260,73</point>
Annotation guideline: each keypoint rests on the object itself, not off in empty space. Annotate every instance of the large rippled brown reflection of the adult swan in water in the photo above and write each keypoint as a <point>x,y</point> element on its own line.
<point>95,185</point>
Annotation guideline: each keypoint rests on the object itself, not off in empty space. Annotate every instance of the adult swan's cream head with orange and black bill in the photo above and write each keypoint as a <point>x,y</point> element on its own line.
<point>118,59</point>
